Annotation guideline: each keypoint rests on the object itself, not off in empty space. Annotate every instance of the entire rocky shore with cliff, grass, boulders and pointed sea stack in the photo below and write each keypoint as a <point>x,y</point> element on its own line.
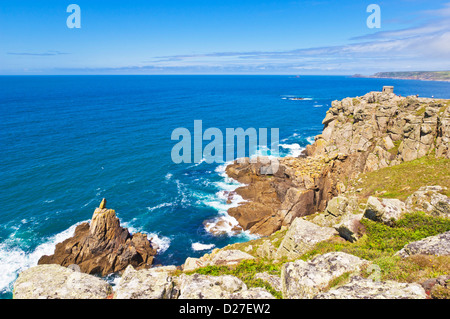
<point>322,236</point>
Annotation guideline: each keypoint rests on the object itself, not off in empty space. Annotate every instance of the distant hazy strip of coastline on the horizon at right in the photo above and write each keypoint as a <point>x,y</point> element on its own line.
<point>411,75</point>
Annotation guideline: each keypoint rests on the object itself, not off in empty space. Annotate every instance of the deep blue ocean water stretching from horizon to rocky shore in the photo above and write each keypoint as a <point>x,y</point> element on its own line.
<point>68,141</point>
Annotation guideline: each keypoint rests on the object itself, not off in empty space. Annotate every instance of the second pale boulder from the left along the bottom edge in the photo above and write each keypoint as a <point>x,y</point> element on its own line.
<point>154,283</point>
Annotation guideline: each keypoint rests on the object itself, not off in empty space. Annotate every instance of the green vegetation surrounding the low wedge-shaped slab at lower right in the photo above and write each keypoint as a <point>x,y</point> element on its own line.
<point>381,242</point>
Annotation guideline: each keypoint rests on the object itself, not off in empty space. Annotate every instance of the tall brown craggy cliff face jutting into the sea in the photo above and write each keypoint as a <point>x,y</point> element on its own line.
<point>360,134</point>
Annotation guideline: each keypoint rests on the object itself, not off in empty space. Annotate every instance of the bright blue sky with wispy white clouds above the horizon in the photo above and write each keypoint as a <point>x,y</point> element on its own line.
<point>223,37</point>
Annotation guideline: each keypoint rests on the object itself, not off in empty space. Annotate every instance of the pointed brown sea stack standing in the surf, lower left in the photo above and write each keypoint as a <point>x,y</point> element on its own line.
<point>103,247</point>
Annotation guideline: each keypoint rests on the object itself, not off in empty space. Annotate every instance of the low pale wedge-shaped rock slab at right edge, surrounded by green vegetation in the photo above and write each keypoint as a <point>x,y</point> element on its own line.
<point>438,245</point>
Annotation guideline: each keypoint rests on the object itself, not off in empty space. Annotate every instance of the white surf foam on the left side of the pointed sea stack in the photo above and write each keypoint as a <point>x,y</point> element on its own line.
<point>13,259</point>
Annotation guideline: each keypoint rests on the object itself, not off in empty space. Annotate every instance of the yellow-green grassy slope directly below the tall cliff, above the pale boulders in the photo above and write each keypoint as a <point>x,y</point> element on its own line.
<point>402,180</point>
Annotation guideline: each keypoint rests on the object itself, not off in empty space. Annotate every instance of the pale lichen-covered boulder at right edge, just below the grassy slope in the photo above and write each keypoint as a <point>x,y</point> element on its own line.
<point>429,199</point>
